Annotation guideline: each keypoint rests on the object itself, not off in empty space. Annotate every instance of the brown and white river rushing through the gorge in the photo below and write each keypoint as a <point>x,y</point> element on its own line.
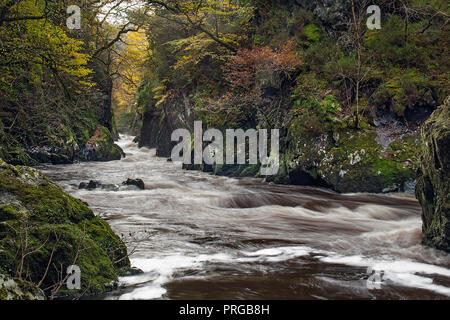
<point>199,236</point>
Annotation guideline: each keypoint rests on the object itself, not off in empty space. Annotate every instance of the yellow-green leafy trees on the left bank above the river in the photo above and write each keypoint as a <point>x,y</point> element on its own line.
<point>57,83</point>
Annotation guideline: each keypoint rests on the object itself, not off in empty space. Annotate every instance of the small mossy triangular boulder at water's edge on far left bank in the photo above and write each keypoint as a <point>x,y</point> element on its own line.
<point>100,147</point>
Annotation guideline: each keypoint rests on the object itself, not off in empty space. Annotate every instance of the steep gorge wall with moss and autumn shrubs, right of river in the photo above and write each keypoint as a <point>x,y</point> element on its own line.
<point>296,69</point>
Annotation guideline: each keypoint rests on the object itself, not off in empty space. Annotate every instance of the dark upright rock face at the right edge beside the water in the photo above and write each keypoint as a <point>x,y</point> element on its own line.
<point>433,183</point>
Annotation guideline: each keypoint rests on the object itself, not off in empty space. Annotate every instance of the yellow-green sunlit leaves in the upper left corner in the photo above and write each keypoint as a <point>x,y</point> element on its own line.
<point>40,44</point>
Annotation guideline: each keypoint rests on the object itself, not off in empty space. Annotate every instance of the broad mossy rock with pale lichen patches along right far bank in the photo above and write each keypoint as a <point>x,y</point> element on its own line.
<point>351,161</point>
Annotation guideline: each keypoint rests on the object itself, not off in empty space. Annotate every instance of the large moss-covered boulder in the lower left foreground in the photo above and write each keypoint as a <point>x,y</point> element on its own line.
<point>43,230</point>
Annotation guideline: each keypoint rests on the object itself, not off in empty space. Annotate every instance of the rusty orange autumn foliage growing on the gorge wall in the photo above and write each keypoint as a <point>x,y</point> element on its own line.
<point>247,74</point>
